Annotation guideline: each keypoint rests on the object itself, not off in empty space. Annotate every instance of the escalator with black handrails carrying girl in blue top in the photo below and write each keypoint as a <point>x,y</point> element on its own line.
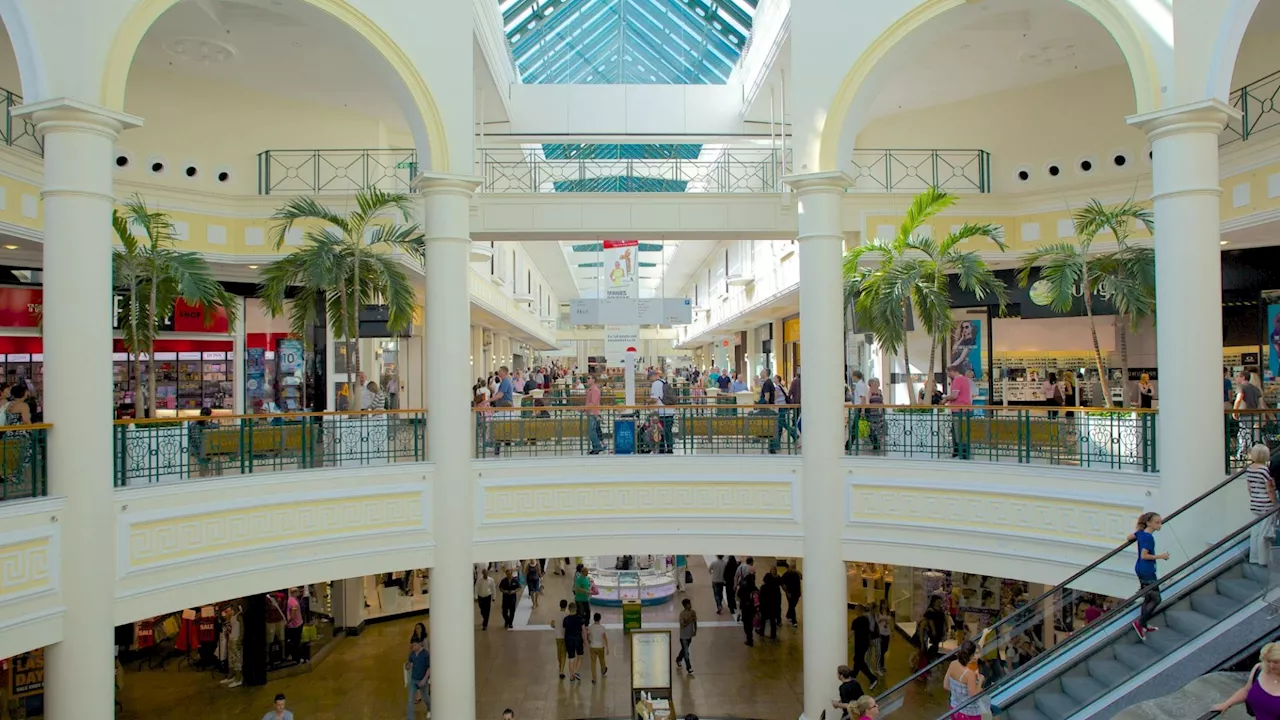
<point>1045,660</point>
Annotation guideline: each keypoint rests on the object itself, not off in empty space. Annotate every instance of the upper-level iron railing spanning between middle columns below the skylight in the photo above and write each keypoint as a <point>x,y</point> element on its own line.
<point>514,170</point>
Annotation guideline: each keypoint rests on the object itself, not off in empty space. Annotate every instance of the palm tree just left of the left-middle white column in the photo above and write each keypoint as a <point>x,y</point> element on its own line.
<point>348,262</point>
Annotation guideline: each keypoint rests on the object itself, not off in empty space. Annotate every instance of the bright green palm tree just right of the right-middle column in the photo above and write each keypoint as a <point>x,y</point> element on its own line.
<point>913,276</point>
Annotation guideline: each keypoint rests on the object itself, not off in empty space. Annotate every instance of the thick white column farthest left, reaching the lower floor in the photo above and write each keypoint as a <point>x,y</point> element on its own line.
<point>80,145</point>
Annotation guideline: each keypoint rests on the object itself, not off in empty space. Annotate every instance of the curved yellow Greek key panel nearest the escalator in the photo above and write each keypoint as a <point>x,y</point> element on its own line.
<point>991,512</point>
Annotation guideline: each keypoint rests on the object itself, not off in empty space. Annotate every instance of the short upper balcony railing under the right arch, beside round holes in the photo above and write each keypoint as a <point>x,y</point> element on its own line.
<point>915,171</point>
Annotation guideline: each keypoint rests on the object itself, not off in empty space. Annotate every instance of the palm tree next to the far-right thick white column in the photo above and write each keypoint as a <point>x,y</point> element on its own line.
<point>1126,276</point>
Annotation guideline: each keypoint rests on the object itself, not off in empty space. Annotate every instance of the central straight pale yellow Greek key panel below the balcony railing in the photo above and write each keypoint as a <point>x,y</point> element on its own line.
<point>518,503</point>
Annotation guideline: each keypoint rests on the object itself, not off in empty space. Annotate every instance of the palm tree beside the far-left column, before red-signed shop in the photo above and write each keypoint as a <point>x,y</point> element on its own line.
<point>156,275</point>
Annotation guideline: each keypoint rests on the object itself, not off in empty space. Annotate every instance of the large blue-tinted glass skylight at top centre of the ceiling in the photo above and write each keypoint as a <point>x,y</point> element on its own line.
<point>627,42</point>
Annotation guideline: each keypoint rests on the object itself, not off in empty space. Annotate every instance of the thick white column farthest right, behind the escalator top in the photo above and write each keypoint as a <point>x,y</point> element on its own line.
<point>1190,440</point>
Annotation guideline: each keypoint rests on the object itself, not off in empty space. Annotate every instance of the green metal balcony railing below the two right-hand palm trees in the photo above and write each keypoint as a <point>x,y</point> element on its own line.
<point>1082,438</point>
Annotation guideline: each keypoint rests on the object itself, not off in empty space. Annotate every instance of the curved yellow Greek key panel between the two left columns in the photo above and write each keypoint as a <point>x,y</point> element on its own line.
<point>166,541</point>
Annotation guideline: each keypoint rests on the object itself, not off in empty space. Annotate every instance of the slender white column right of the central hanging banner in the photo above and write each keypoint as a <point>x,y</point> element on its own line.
<point>822,490</point>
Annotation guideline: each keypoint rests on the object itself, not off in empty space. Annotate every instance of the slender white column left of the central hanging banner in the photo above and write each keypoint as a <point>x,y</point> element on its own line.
<point>447,207</point>
